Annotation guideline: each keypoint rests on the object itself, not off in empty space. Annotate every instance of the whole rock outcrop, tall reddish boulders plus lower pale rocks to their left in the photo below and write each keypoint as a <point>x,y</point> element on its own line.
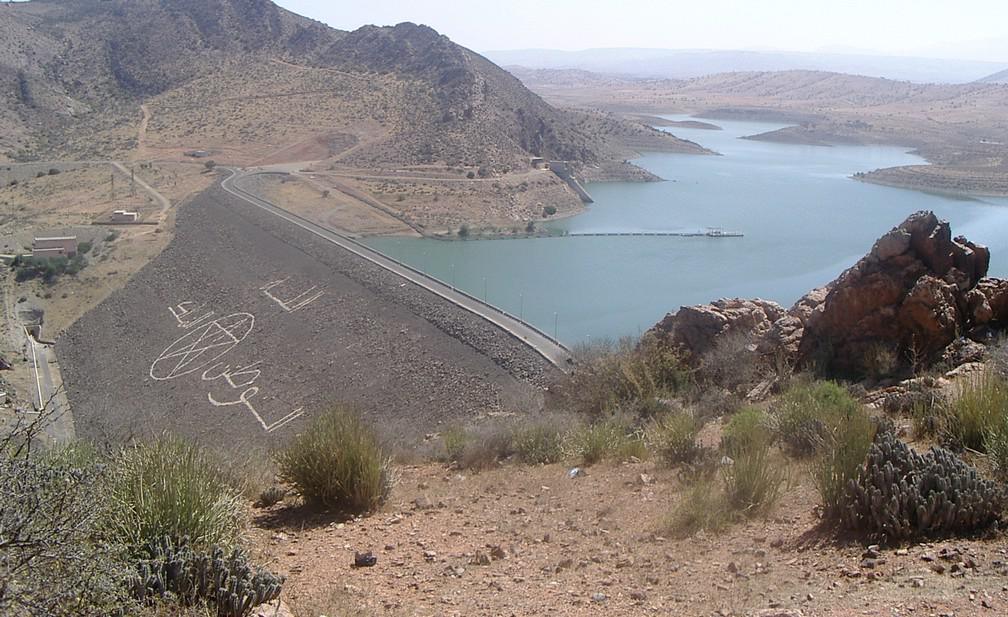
<point>919,296</point>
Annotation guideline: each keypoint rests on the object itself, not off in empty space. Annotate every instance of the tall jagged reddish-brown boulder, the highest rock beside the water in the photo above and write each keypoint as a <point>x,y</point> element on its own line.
<point>913,295</point>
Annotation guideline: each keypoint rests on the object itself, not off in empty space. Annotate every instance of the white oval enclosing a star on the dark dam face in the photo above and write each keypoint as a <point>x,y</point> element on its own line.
<point>203,346</point>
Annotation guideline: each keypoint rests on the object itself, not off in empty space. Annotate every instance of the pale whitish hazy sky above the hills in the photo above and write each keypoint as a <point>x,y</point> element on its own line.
<point>948,29</point>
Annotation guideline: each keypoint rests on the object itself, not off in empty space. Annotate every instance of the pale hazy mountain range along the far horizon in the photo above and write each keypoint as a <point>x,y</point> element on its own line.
<point>687,64</point>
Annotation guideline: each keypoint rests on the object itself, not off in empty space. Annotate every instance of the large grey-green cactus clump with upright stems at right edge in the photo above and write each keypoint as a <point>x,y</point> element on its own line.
<point>904,496</point>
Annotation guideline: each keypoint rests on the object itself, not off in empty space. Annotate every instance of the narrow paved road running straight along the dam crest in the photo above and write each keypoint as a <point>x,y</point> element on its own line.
<point>545,345</point>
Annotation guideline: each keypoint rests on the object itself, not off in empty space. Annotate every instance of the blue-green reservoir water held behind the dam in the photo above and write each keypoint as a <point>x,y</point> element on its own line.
<point>805,222</point>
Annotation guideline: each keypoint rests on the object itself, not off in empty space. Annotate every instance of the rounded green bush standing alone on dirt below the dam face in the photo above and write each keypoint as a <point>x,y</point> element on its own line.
<point>337,463</point>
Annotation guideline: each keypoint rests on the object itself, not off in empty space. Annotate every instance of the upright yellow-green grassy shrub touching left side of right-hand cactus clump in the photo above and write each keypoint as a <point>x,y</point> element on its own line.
<point>842,458</point>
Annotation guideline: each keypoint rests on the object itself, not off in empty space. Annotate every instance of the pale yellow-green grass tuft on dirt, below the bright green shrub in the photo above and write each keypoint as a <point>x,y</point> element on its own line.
<point>754,478</point>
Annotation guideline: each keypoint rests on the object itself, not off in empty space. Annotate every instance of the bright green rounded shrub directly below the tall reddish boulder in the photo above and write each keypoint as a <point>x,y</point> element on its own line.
<point>807,414</point>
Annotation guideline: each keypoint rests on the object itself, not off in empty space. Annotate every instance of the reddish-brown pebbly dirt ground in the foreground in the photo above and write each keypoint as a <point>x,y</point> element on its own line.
<point>532,541</point>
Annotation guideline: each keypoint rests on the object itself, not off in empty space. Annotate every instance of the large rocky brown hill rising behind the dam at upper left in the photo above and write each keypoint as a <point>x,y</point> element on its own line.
<point>249,79</point>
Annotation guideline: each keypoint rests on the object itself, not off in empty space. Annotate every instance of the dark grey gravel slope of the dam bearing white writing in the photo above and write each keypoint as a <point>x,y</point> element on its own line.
<point>246,326</point>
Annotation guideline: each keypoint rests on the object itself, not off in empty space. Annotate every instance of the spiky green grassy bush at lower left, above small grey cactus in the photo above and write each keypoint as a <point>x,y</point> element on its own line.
<point>172,488</point>
